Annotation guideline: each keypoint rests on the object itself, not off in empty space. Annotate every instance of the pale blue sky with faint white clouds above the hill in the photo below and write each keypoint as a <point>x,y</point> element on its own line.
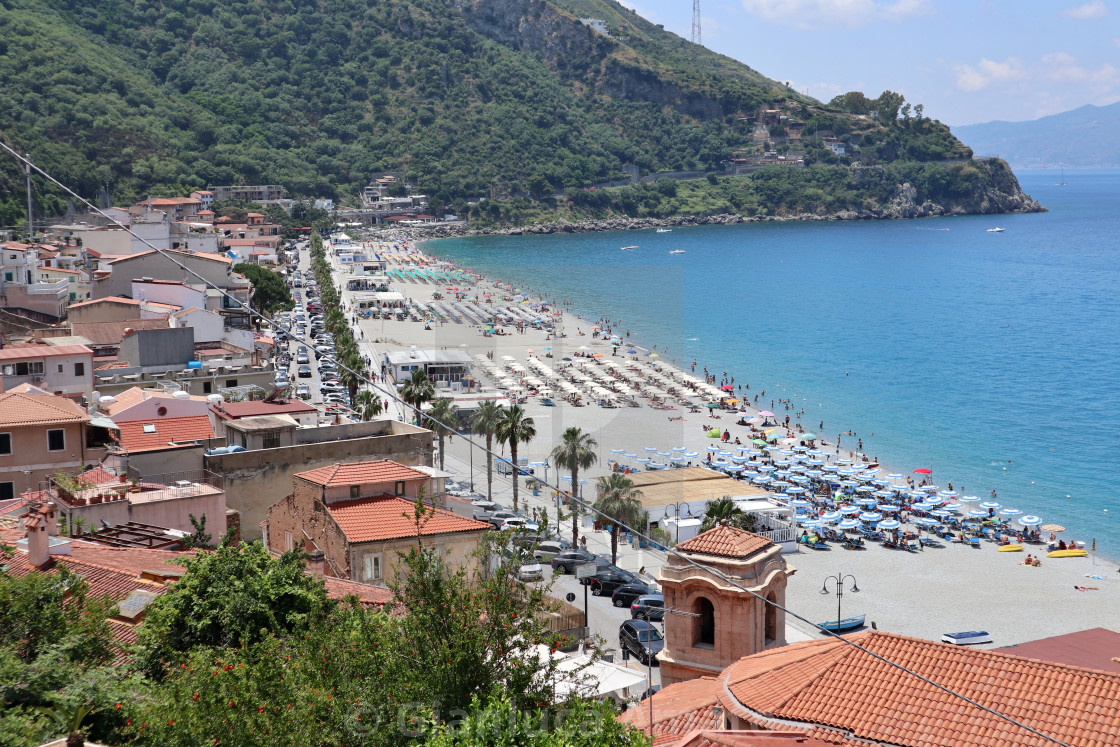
<point>967,61</point>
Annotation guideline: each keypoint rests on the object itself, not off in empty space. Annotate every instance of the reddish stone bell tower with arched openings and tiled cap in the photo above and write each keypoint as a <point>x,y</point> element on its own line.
<point>723,623</point>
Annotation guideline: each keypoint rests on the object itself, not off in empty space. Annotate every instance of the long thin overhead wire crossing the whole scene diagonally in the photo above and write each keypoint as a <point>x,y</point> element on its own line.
<point>422,416</point>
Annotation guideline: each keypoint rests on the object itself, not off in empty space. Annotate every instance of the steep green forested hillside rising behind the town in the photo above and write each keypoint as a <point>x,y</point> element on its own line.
<point>465,99</point>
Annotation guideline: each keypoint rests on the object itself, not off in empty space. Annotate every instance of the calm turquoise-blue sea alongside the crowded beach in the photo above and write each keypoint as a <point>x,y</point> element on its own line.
<point>993,359</point>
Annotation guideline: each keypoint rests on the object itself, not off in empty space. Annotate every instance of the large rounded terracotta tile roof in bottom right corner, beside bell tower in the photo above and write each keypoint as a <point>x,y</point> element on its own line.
<point>827,684</point>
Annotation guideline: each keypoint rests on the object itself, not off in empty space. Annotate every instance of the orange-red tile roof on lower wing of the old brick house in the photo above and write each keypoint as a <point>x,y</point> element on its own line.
<point>390,518</point>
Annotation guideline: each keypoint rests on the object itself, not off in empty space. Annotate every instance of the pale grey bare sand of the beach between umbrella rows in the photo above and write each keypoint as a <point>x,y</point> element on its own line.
<point>945,589</point>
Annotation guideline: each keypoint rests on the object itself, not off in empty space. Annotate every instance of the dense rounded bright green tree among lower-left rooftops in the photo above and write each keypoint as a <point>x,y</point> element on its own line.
<point>234,596</point>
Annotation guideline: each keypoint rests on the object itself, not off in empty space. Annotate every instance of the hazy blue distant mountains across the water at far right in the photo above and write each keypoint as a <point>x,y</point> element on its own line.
<point>1084,138</point>
